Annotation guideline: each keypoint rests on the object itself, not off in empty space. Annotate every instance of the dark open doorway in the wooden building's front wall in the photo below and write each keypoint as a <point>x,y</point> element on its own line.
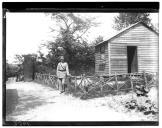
<point>132,59</point>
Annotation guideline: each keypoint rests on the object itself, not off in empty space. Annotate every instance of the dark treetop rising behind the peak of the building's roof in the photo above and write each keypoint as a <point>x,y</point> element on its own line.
<point>125,19</point>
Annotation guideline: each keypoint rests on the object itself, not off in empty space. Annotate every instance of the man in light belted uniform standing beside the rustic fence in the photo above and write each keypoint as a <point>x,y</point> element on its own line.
<point>62,72</point>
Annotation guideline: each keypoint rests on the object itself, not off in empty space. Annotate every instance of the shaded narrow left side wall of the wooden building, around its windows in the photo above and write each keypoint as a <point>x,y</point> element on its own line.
<point>98,60</point>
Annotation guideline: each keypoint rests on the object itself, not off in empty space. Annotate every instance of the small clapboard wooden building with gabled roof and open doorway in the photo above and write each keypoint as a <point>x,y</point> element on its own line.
<point>134,49</point>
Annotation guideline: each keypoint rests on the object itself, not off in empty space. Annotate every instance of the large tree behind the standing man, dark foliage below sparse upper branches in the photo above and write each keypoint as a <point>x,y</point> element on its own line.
<point>71,29</point>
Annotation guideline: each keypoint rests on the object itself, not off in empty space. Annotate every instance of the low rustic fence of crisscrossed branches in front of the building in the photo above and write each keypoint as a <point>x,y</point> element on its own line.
<point>115,82</point>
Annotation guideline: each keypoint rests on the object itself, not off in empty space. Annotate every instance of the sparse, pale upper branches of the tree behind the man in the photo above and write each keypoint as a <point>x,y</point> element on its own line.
<point>72,25</point>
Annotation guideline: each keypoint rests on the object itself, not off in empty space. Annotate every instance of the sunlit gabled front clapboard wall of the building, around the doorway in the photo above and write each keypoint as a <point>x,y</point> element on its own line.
<point>147,50</point>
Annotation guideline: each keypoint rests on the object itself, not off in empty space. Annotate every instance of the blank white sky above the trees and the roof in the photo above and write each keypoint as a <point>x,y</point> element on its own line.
<point>25,32</point>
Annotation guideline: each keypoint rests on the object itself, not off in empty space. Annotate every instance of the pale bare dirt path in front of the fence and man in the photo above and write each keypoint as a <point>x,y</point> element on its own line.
<point>40,103</point>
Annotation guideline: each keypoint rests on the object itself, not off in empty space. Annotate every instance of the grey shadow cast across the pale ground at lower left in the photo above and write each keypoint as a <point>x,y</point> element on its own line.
<point>19,105</point>
